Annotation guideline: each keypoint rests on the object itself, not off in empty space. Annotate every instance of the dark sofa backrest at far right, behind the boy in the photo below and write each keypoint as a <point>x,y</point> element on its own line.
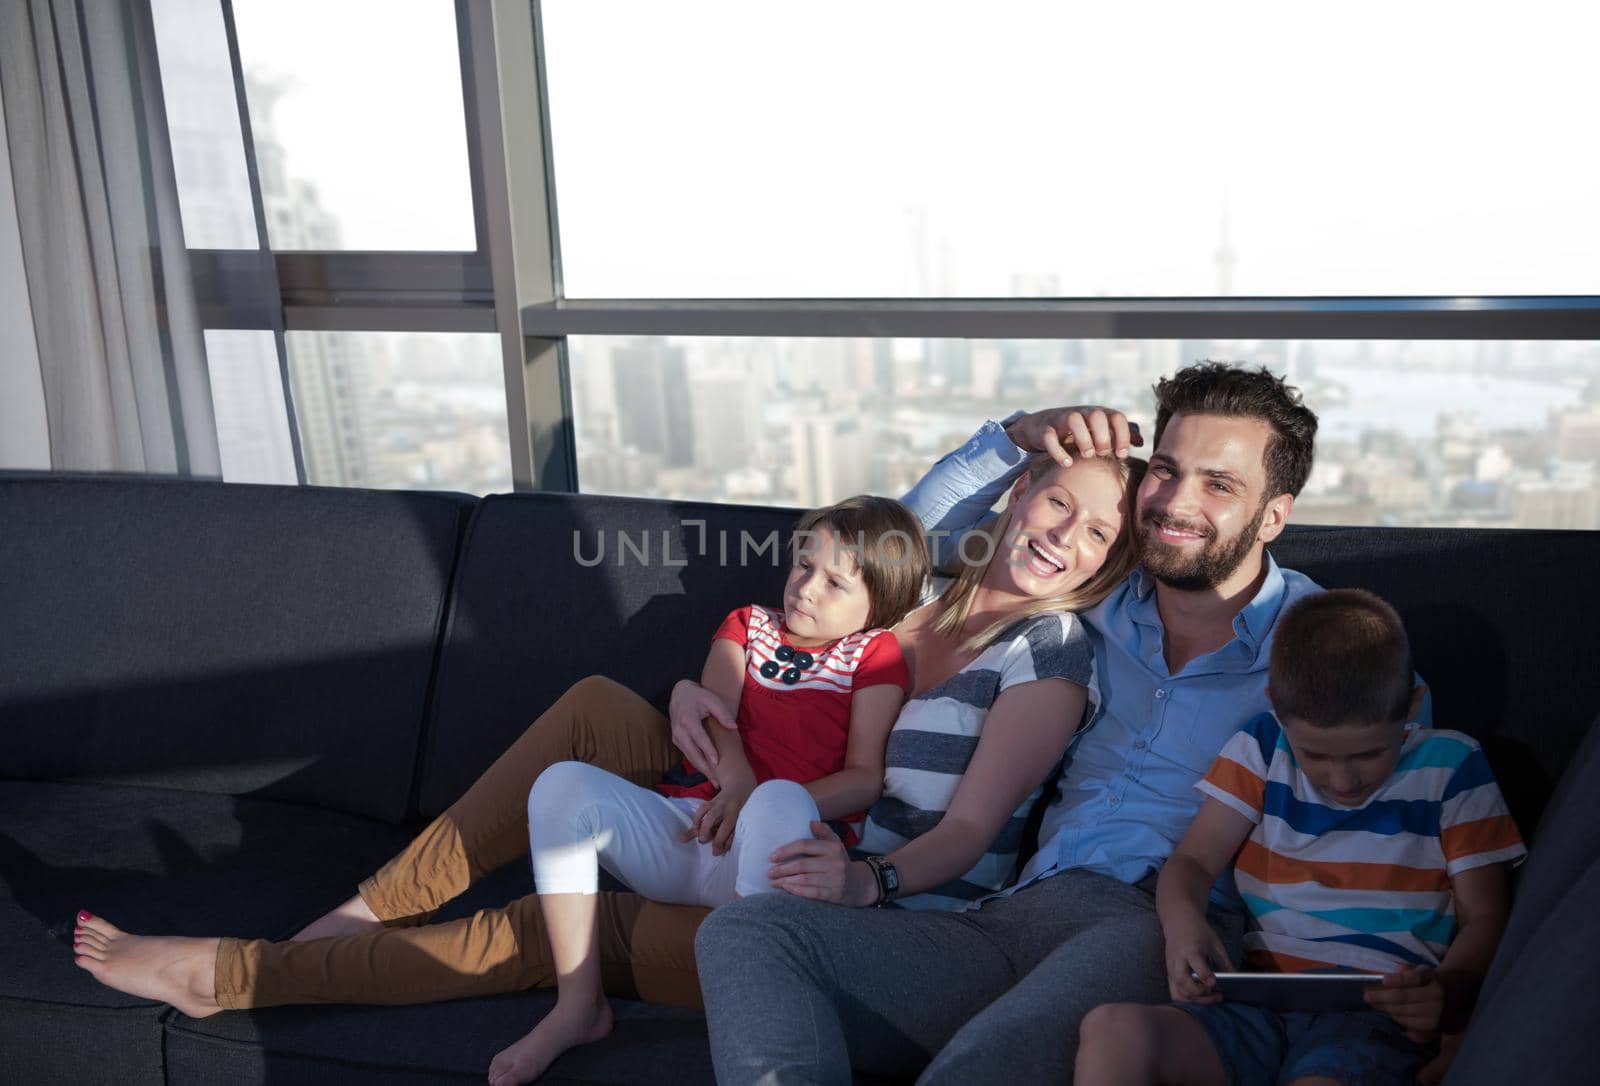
<point>1500,629</point>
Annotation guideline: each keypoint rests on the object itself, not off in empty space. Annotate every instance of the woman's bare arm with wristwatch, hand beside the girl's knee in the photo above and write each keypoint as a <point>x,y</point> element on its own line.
<point>1023,740</point>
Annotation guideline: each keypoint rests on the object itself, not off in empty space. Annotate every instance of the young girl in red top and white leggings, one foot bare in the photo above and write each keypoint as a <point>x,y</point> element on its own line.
<point>814,690</point>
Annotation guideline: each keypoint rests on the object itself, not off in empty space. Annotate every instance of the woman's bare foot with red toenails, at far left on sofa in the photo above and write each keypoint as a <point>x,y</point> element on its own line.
<point>170,970</point>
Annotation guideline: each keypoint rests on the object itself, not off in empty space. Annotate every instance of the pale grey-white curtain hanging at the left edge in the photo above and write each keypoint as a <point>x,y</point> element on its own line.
<point>121,348</point>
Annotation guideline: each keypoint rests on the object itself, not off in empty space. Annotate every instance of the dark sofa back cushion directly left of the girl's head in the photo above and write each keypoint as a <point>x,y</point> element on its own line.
<point>534,612</point>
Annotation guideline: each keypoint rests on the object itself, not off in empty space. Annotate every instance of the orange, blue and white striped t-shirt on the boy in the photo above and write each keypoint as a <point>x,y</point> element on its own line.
<point>1369,887</point>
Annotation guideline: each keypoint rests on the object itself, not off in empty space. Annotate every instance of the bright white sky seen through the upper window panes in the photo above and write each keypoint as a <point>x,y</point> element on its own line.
<point>945,148</point>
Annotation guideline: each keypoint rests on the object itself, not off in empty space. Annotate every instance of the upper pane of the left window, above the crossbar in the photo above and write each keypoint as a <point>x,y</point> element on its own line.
<point>359,124</point>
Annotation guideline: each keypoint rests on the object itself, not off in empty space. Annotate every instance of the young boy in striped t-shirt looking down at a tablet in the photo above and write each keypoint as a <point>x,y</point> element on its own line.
<point>1359,844</point>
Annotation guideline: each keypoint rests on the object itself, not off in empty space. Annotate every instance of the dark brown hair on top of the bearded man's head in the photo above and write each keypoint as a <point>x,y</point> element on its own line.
<point>1220,388</point>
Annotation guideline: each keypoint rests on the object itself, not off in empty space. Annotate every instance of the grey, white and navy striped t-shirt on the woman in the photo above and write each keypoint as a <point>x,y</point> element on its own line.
<point>937,735</point>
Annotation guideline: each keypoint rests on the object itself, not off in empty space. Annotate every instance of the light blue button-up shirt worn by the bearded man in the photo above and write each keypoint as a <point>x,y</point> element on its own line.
<point>1127,789</point>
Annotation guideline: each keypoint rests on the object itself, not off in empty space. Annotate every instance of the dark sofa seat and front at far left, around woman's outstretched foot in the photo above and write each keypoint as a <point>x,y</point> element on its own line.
<point>151,861</point>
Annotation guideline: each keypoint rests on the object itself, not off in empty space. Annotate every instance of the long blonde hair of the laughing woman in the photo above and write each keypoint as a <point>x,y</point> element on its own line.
<point>1124,556</point>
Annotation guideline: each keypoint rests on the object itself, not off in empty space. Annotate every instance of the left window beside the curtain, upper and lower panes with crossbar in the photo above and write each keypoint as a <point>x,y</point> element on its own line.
<point>359,156</point>
